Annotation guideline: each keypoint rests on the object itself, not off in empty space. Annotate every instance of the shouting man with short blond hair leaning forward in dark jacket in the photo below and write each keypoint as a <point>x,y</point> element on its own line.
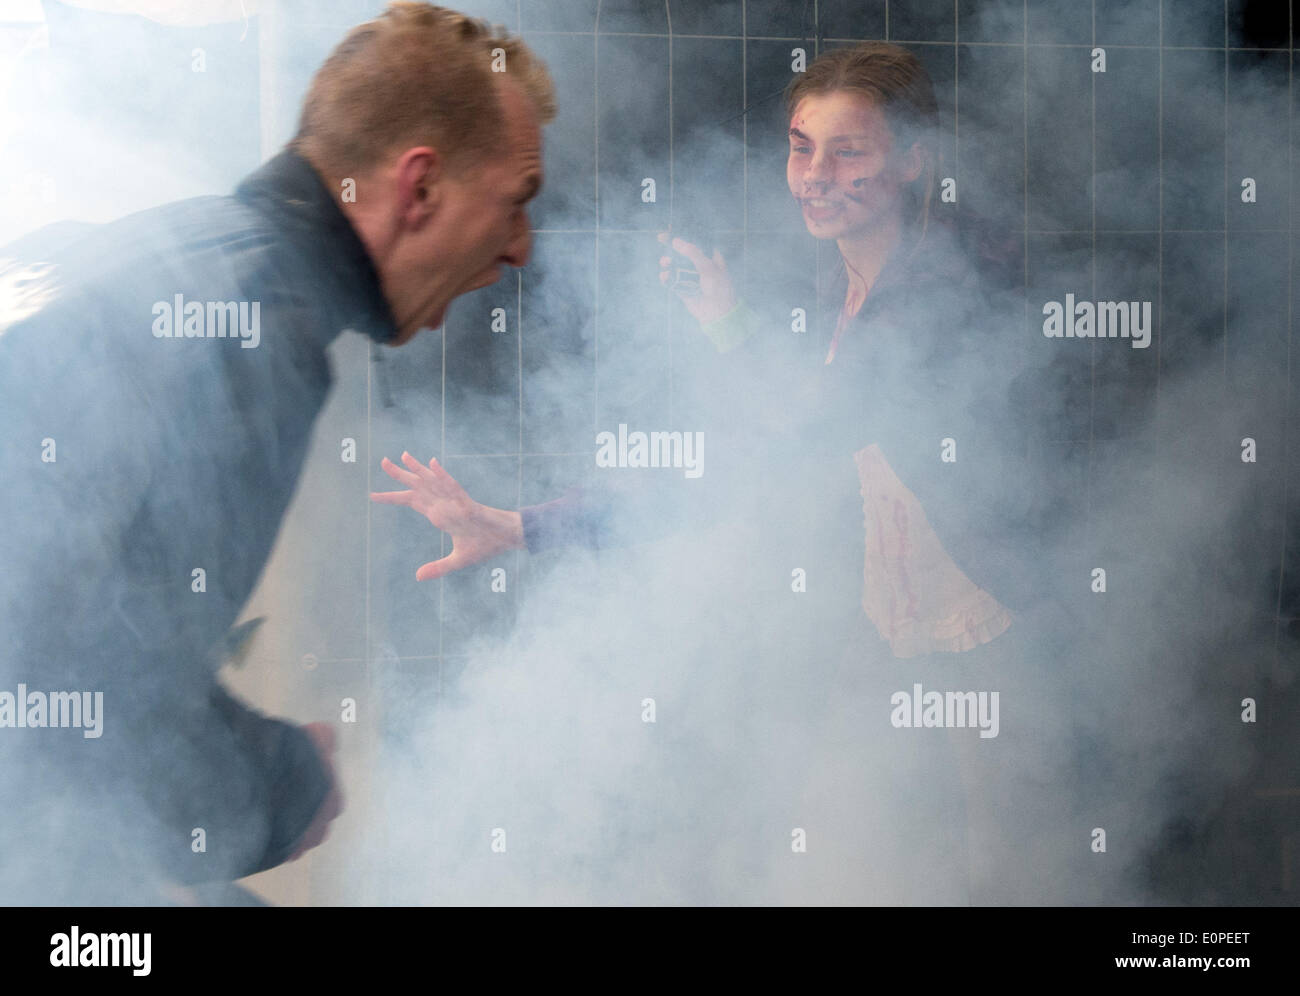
<point>159,380</point>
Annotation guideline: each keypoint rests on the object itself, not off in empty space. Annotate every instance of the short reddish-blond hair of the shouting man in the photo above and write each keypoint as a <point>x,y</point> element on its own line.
<point>418,75</point>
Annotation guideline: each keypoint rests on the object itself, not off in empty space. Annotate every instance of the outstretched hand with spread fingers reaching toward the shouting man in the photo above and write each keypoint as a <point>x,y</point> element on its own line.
<point>478,531</point>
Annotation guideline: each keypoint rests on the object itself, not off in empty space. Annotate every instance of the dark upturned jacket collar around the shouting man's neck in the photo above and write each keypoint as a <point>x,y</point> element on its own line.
<point>289,190</point>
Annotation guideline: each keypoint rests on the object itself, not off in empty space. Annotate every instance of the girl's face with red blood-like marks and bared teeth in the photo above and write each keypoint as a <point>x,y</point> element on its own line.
<point>844,168</point>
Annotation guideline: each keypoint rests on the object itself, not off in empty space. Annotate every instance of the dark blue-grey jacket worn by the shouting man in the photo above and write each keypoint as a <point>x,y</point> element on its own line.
<point>129,464</point>
